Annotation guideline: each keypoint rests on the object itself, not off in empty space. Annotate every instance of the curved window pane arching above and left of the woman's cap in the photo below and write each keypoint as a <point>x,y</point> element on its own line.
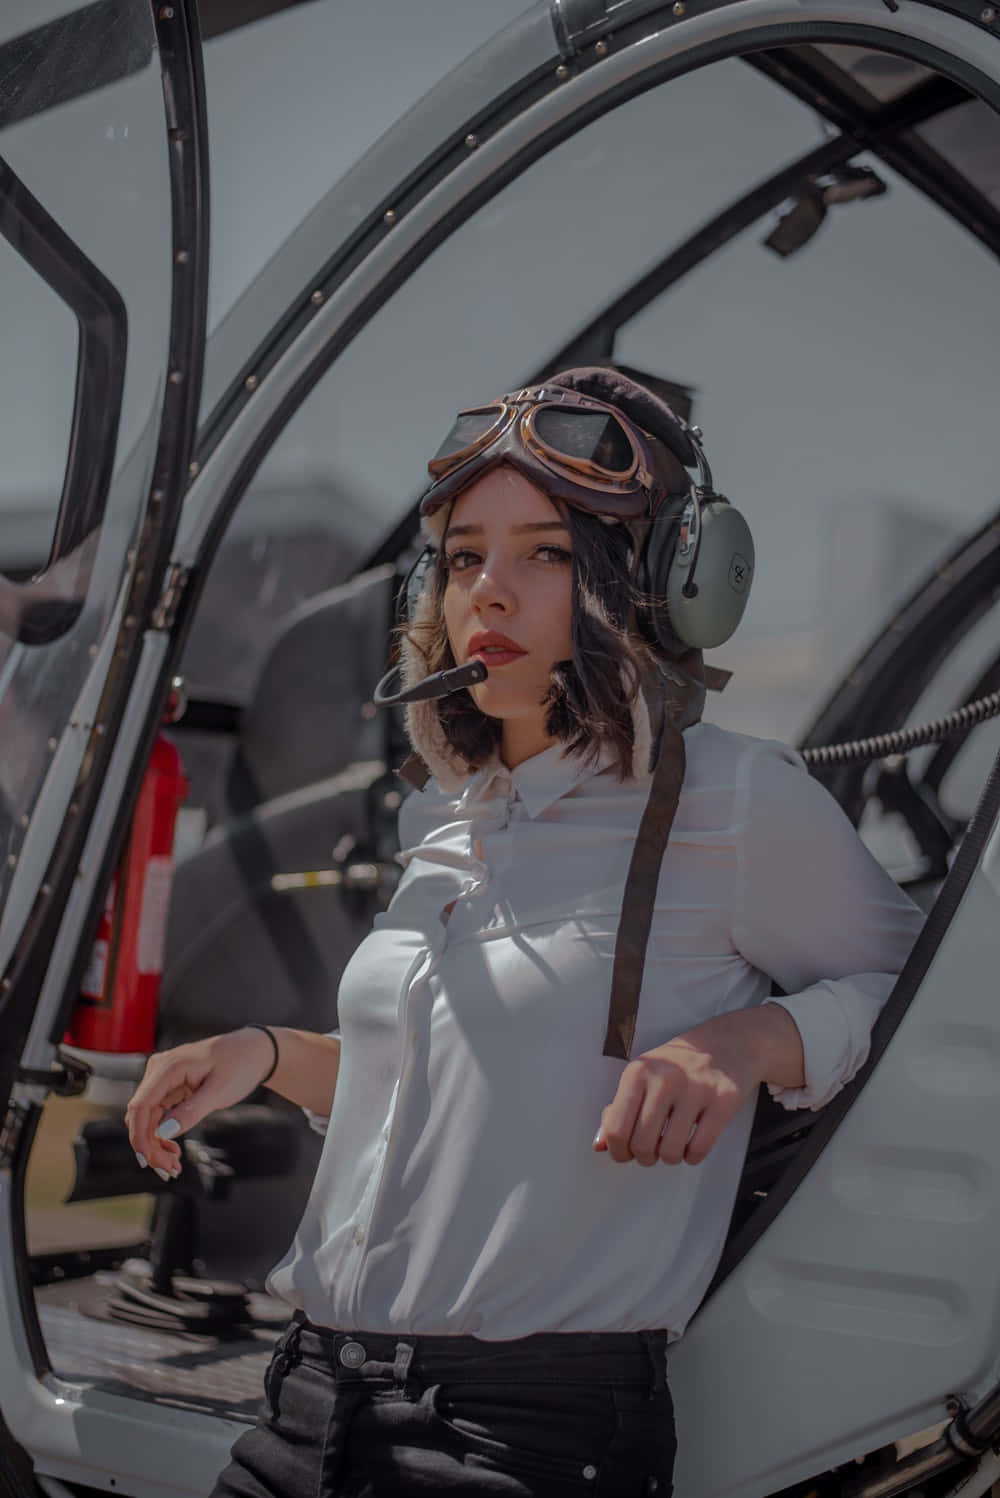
<point>480,318</point>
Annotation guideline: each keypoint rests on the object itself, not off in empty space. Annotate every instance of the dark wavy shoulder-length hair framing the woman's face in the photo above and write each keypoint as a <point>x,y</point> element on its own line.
<point>589,702</point>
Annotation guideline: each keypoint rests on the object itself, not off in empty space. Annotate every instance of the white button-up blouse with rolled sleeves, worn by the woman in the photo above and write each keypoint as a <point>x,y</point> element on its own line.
<point>459,1190</point>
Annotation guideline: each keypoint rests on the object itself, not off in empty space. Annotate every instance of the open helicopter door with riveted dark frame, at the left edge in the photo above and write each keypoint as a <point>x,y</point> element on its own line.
<point>103,305</point>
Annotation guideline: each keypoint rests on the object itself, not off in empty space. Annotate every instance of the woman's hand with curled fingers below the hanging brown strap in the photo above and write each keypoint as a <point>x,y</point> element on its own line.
<point>674,1102</point>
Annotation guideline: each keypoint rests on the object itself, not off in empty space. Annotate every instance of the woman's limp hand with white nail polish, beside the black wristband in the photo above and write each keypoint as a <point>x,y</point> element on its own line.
<point>186,1085</point>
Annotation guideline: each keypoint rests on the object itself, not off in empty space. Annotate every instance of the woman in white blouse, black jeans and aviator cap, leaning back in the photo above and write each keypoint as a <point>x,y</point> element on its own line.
<point>486,1291</point>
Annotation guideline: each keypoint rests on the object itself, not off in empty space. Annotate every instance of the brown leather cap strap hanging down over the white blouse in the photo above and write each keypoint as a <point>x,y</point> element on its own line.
<point>640,892</point>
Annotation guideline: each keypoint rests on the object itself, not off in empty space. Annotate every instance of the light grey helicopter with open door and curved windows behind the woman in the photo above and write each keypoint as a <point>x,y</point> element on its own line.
<point>203,616</point>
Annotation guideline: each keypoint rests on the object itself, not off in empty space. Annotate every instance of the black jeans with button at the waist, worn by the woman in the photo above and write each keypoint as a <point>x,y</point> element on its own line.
<point>357,1415</point>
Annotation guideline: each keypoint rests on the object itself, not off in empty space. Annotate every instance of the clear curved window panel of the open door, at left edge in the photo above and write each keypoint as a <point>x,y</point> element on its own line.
<point>86,224</point>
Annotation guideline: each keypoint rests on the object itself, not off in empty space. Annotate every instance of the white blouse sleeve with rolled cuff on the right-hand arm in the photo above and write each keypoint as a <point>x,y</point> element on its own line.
<point>820,916</point>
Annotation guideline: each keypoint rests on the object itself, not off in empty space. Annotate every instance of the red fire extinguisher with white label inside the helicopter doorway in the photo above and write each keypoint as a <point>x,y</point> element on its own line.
<point>119,995</point>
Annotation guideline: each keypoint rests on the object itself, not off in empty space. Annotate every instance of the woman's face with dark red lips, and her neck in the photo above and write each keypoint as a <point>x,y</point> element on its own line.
<point>510,601</point>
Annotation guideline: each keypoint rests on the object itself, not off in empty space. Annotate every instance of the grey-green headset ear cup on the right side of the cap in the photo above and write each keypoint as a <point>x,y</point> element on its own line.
<point>710,576</point>
